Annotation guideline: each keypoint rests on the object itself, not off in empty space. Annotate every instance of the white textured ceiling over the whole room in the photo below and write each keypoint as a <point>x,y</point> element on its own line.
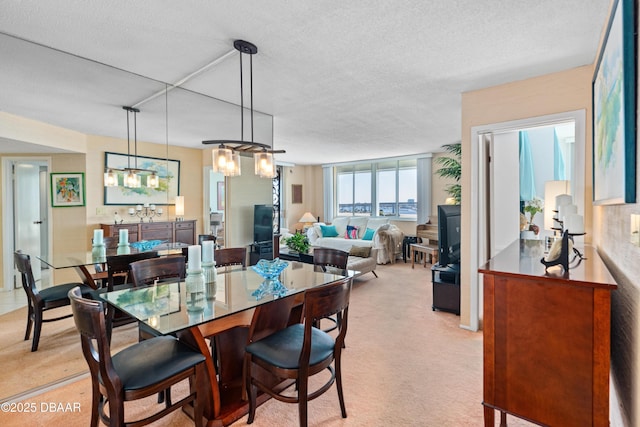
<point>343,80</point>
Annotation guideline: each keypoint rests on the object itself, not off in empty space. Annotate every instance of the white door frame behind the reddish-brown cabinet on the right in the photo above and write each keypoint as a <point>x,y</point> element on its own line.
<point>478,203</point>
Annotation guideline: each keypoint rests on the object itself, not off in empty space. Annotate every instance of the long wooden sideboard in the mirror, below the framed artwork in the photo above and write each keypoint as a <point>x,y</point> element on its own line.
<point>171,231</point>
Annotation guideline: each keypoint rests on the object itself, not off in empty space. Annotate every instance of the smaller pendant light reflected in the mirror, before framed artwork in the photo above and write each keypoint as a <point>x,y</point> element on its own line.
<point>132,175</point>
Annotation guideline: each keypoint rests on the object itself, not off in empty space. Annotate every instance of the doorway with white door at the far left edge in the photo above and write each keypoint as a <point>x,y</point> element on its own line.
<point>26,216</point>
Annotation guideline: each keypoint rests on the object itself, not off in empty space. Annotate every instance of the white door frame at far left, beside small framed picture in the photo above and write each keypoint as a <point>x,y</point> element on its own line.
<point>7,209</point>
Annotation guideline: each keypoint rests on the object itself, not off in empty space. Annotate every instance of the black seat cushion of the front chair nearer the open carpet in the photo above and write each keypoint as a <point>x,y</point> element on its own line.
<point>282,349</point>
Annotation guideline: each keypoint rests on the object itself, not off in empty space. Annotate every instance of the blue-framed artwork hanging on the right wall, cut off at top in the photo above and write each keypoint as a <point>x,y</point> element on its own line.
<point>614,110</point>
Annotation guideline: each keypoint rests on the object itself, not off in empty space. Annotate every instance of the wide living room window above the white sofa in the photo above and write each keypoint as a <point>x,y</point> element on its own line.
<point>385,188</point>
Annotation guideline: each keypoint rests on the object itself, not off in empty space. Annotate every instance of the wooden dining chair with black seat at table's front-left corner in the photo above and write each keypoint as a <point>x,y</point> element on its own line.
<point>141,370</point>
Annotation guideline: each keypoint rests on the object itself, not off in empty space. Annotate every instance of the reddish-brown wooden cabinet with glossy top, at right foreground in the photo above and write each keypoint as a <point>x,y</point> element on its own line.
<point>546,338</point>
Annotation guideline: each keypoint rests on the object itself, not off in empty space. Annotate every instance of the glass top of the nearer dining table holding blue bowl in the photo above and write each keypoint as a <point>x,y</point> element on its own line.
<point>174,306</point>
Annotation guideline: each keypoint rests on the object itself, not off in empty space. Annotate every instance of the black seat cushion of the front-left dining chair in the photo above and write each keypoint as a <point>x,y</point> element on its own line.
<point>153,360</point>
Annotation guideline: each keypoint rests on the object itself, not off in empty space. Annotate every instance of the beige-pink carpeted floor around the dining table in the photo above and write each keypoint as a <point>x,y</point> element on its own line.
<point>404,365</point>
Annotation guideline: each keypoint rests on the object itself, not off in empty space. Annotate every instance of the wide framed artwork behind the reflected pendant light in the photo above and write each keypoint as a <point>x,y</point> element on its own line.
<point>168,172</point>
